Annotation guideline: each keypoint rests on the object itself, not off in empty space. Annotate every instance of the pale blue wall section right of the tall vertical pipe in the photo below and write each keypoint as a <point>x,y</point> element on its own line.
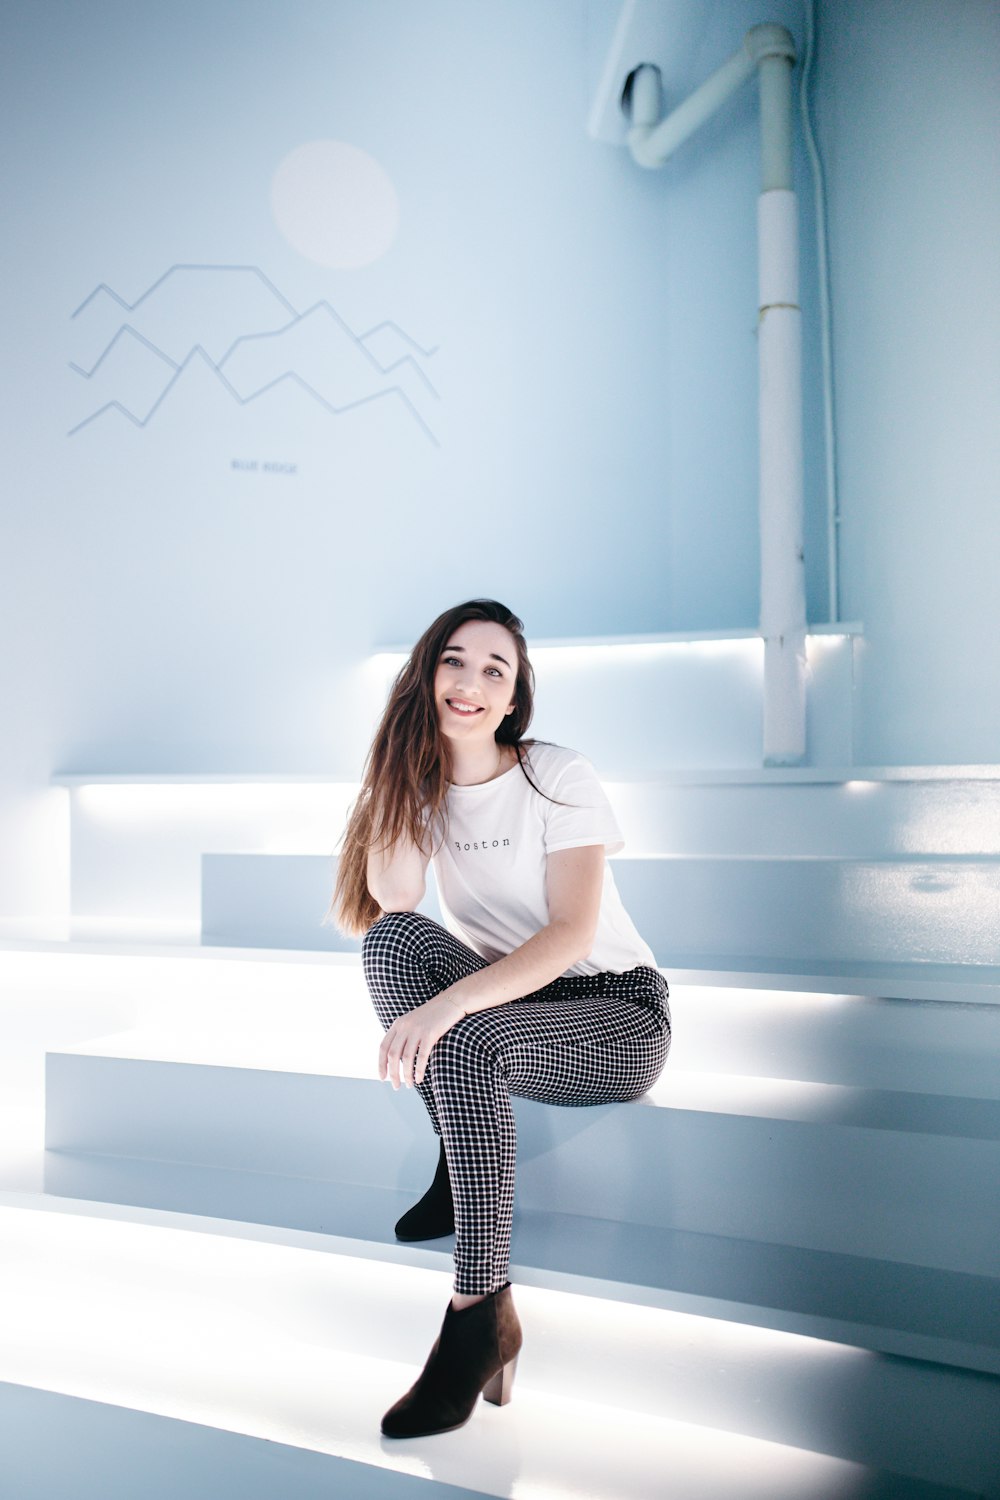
<point>909,107</point>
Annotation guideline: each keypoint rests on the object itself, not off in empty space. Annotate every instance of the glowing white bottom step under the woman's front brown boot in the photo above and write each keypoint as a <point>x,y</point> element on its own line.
<point>305,1349</point>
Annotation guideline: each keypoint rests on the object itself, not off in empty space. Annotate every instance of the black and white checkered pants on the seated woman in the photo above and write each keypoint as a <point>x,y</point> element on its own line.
<point>581,1040</point>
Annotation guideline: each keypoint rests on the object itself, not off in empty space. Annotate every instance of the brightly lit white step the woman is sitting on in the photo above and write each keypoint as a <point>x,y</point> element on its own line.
<point>253,1007</point>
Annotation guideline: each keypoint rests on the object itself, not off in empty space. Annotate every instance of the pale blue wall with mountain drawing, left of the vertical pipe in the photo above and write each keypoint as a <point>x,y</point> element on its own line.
<point>596,371</point>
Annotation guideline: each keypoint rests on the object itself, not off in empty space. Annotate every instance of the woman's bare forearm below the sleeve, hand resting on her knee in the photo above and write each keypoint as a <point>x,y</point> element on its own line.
<point>575,880</point>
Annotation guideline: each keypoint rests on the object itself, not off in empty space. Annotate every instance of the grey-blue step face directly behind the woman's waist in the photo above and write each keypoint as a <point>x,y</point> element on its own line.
<point>804,910</point>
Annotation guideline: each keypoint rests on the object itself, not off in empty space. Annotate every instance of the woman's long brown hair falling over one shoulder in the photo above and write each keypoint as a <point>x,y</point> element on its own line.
<point>406,778</point>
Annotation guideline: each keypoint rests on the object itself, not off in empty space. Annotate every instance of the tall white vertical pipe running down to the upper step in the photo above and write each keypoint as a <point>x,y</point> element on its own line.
<point>780,356</point>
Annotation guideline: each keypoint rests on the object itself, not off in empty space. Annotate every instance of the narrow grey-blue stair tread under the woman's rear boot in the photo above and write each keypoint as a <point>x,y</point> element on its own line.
<point>888,1306</point>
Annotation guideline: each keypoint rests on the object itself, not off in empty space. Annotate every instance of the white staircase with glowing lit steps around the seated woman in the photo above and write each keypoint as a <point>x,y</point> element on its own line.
<point>777,1276</point>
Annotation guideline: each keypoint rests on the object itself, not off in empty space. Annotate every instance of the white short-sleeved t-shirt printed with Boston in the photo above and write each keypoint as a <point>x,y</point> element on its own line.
<point>491,863</point>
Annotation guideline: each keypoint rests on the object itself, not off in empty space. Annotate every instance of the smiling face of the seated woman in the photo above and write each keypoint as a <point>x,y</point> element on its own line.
<point>475,682</point>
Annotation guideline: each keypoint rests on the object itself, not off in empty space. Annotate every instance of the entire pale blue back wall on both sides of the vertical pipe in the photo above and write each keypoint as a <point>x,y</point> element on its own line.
<point>596,371</point>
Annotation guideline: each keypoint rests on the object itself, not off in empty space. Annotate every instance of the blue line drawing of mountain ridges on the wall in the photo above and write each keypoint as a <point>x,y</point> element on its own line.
<point>194,320</point>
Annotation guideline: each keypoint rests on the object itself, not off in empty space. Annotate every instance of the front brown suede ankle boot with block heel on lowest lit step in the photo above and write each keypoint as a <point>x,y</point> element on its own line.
<point>476,1352</point>
